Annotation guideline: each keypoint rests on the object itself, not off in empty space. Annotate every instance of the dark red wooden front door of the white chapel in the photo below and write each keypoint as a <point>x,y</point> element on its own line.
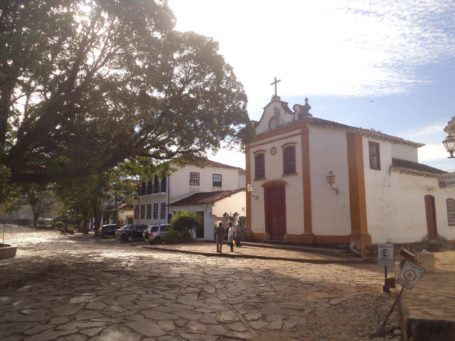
<point>275,212</point>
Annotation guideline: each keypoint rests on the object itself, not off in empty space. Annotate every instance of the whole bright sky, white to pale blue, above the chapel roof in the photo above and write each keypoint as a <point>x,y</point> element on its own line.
<point>387,65</point>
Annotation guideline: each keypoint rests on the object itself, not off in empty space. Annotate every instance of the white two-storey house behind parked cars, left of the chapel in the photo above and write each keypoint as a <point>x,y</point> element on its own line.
<point>209,189</point>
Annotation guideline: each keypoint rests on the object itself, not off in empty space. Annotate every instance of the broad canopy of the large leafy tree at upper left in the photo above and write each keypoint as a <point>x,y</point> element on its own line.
<point>86,84</point>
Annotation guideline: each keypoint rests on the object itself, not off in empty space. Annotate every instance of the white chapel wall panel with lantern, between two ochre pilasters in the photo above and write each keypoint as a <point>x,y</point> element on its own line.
<point>330,211</point>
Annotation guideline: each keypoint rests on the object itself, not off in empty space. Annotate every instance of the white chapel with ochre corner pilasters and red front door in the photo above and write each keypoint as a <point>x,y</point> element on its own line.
<point>314,181</point>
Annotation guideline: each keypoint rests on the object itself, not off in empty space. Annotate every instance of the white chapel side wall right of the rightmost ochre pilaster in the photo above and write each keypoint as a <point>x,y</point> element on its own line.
<point>396,205</point>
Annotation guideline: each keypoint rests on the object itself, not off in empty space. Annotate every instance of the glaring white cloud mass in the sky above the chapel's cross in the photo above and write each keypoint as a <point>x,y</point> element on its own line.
<point>335,47</point>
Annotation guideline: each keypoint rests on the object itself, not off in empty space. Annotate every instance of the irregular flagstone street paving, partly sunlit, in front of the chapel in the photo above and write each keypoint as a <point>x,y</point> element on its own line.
<point>62,287</point>
